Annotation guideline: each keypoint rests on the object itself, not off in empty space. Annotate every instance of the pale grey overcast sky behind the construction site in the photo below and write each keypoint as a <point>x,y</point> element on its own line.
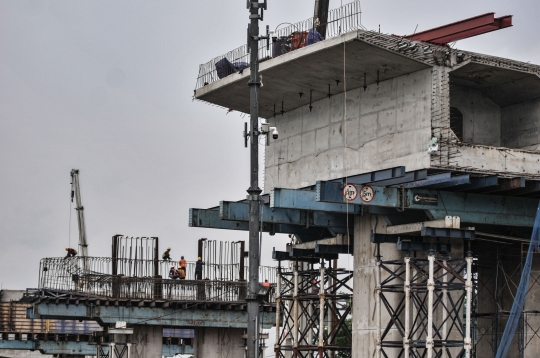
<point>106,87</point>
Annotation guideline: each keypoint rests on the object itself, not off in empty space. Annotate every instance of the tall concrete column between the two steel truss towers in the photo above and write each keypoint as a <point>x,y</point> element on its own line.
<point>365,310</point>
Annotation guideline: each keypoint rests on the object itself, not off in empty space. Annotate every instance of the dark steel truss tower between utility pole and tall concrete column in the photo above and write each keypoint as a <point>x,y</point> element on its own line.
<point>315,307</point>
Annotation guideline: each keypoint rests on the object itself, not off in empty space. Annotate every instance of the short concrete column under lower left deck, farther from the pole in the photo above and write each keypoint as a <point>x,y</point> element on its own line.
<point>147,342</point>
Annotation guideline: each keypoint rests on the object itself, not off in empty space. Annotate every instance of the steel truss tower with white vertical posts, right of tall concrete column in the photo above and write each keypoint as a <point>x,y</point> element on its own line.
<point>428,305</point>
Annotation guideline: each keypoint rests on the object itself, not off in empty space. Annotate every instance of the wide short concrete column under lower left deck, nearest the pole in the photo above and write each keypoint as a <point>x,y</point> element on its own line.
<point>218,343</point>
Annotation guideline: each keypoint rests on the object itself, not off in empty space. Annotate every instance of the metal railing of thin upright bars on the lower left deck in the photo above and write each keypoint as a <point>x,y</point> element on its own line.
<point>136,279</point>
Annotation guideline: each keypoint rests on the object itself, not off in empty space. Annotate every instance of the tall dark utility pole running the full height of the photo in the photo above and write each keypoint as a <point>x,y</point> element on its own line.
<point>254,191</point>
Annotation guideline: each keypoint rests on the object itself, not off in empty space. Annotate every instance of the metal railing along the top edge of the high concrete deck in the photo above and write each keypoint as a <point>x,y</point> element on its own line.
<point>286,39</point>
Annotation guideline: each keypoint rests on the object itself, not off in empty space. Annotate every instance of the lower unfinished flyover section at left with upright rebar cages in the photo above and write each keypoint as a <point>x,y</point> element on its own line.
<point>139,305</point>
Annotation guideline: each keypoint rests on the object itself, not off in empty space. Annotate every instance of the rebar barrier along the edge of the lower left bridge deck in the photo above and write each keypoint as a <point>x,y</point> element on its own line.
<point>68,275</point>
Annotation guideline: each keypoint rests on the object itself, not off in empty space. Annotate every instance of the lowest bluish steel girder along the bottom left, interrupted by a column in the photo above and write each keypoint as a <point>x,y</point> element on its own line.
<point>78,348</point>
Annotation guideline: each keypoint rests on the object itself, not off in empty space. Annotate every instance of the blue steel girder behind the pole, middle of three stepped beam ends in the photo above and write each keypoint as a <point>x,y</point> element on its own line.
<point>239,211</point>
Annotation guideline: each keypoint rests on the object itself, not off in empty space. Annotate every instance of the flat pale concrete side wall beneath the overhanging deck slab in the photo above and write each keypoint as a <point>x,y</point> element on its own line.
<point>354,132</point>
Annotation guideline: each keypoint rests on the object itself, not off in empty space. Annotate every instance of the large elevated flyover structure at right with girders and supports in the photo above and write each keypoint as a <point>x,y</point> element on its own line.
<point>420,160</point>
